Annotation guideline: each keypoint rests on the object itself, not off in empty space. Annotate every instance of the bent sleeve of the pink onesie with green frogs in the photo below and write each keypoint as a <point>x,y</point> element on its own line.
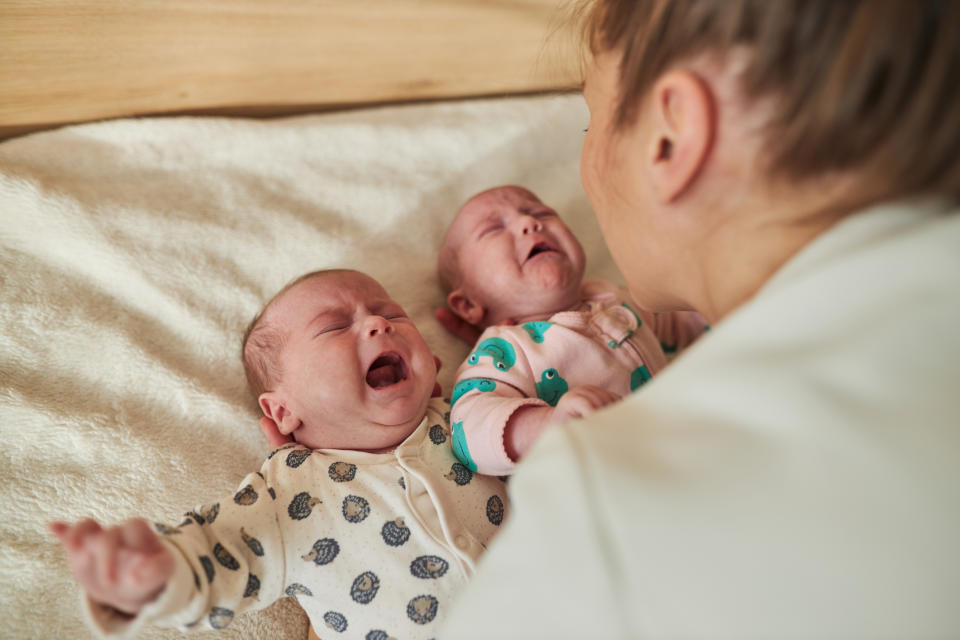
<point>492,384</point>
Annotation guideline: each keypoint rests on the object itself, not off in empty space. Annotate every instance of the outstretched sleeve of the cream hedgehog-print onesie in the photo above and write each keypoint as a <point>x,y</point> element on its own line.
<point>228,559</point>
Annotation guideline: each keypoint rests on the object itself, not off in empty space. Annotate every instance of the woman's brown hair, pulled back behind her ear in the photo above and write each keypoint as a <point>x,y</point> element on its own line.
<point>869,86</point>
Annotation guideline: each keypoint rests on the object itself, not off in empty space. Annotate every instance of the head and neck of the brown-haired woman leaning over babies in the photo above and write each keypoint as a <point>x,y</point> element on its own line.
<point>714,116</point>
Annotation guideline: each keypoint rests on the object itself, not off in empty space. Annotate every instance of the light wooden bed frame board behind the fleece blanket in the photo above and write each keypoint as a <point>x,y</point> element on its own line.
<point>67,61</point>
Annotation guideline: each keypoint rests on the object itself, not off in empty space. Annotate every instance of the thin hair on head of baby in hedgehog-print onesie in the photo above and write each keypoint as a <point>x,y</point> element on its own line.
<point>263,341</point>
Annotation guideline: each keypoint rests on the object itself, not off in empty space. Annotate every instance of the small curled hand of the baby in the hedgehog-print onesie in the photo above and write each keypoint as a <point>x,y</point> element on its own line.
<point>124,566</point>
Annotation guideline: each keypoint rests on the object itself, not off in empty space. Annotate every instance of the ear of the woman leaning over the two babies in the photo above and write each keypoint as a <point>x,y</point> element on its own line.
<point>683,126</point>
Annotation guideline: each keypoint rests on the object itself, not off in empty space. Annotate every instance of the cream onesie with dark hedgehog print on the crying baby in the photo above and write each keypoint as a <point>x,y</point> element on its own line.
<point>371,545</point>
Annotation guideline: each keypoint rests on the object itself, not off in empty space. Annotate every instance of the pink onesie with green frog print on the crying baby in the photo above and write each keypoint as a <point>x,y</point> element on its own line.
<point>609,342</point>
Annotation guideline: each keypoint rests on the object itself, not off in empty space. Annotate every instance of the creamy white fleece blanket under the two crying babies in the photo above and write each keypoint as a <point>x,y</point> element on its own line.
<point>134,252</point>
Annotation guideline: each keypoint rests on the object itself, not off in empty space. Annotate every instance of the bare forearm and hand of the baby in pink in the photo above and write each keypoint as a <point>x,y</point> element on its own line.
<point>527,423</point>
